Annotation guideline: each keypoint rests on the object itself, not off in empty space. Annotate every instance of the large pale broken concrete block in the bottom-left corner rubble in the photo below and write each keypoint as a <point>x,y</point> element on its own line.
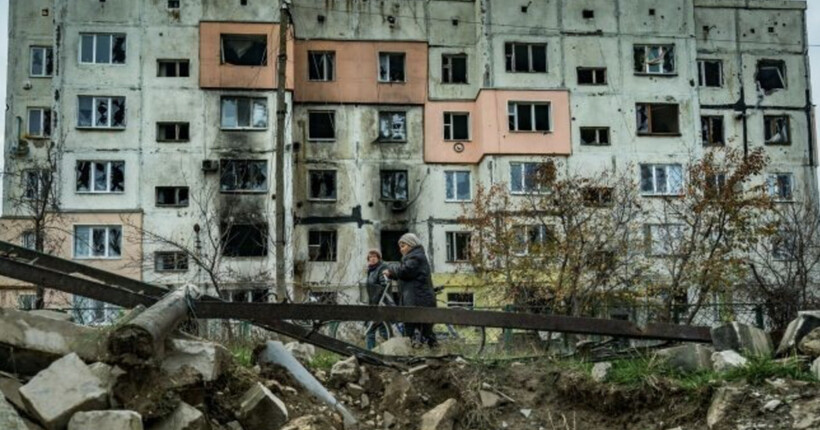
<point>67,386</point>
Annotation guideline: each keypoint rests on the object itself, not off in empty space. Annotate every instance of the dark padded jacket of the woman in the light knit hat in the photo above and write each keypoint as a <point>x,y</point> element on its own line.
<point>415,281</point>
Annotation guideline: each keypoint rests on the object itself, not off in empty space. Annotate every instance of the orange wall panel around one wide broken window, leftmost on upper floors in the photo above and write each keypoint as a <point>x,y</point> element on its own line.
<point>213,73</point>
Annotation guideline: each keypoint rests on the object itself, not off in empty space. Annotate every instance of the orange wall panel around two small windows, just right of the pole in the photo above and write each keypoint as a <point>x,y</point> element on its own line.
<point>356,74</point>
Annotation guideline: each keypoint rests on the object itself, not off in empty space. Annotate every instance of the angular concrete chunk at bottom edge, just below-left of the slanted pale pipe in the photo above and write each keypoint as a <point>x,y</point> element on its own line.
<point>260,409</point>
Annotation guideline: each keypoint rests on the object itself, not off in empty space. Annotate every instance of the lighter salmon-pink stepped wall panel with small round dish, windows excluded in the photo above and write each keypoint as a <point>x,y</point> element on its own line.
<point>489,127</point>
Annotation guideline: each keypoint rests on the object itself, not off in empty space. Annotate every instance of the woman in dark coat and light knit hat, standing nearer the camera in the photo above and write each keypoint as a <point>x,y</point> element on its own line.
<point>415,285</point>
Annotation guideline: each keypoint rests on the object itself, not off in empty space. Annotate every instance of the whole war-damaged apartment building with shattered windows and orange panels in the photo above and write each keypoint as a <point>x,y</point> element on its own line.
<point>165,113</point>
